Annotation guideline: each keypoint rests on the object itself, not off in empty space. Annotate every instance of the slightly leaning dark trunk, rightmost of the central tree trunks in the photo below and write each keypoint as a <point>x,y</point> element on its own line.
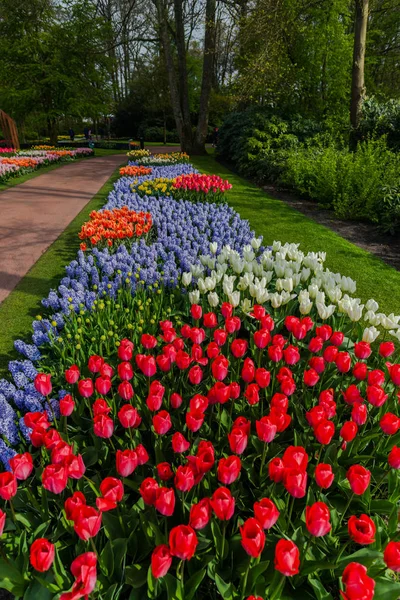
<point>207,78</point>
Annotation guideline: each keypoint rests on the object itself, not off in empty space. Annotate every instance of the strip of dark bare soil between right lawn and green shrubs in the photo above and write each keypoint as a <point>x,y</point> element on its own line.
<point>362,234</point>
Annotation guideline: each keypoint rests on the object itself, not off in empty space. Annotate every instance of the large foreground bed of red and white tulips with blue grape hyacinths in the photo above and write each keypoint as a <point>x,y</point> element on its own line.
<point>207,417</point>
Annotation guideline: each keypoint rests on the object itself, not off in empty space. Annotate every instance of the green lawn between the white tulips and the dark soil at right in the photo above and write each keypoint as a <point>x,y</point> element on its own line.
<point>276,221</point>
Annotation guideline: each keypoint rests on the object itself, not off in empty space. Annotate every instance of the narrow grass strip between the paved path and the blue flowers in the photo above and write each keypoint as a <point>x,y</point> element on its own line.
<point>19,309</point>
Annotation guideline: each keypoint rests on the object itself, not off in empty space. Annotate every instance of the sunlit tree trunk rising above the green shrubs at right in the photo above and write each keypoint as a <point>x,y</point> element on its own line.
<point>357,82</point>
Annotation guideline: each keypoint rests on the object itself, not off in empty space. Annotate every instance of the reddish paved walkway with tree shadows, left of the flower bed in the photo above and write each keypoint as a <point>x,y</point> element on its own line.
<point>34,214</point>
